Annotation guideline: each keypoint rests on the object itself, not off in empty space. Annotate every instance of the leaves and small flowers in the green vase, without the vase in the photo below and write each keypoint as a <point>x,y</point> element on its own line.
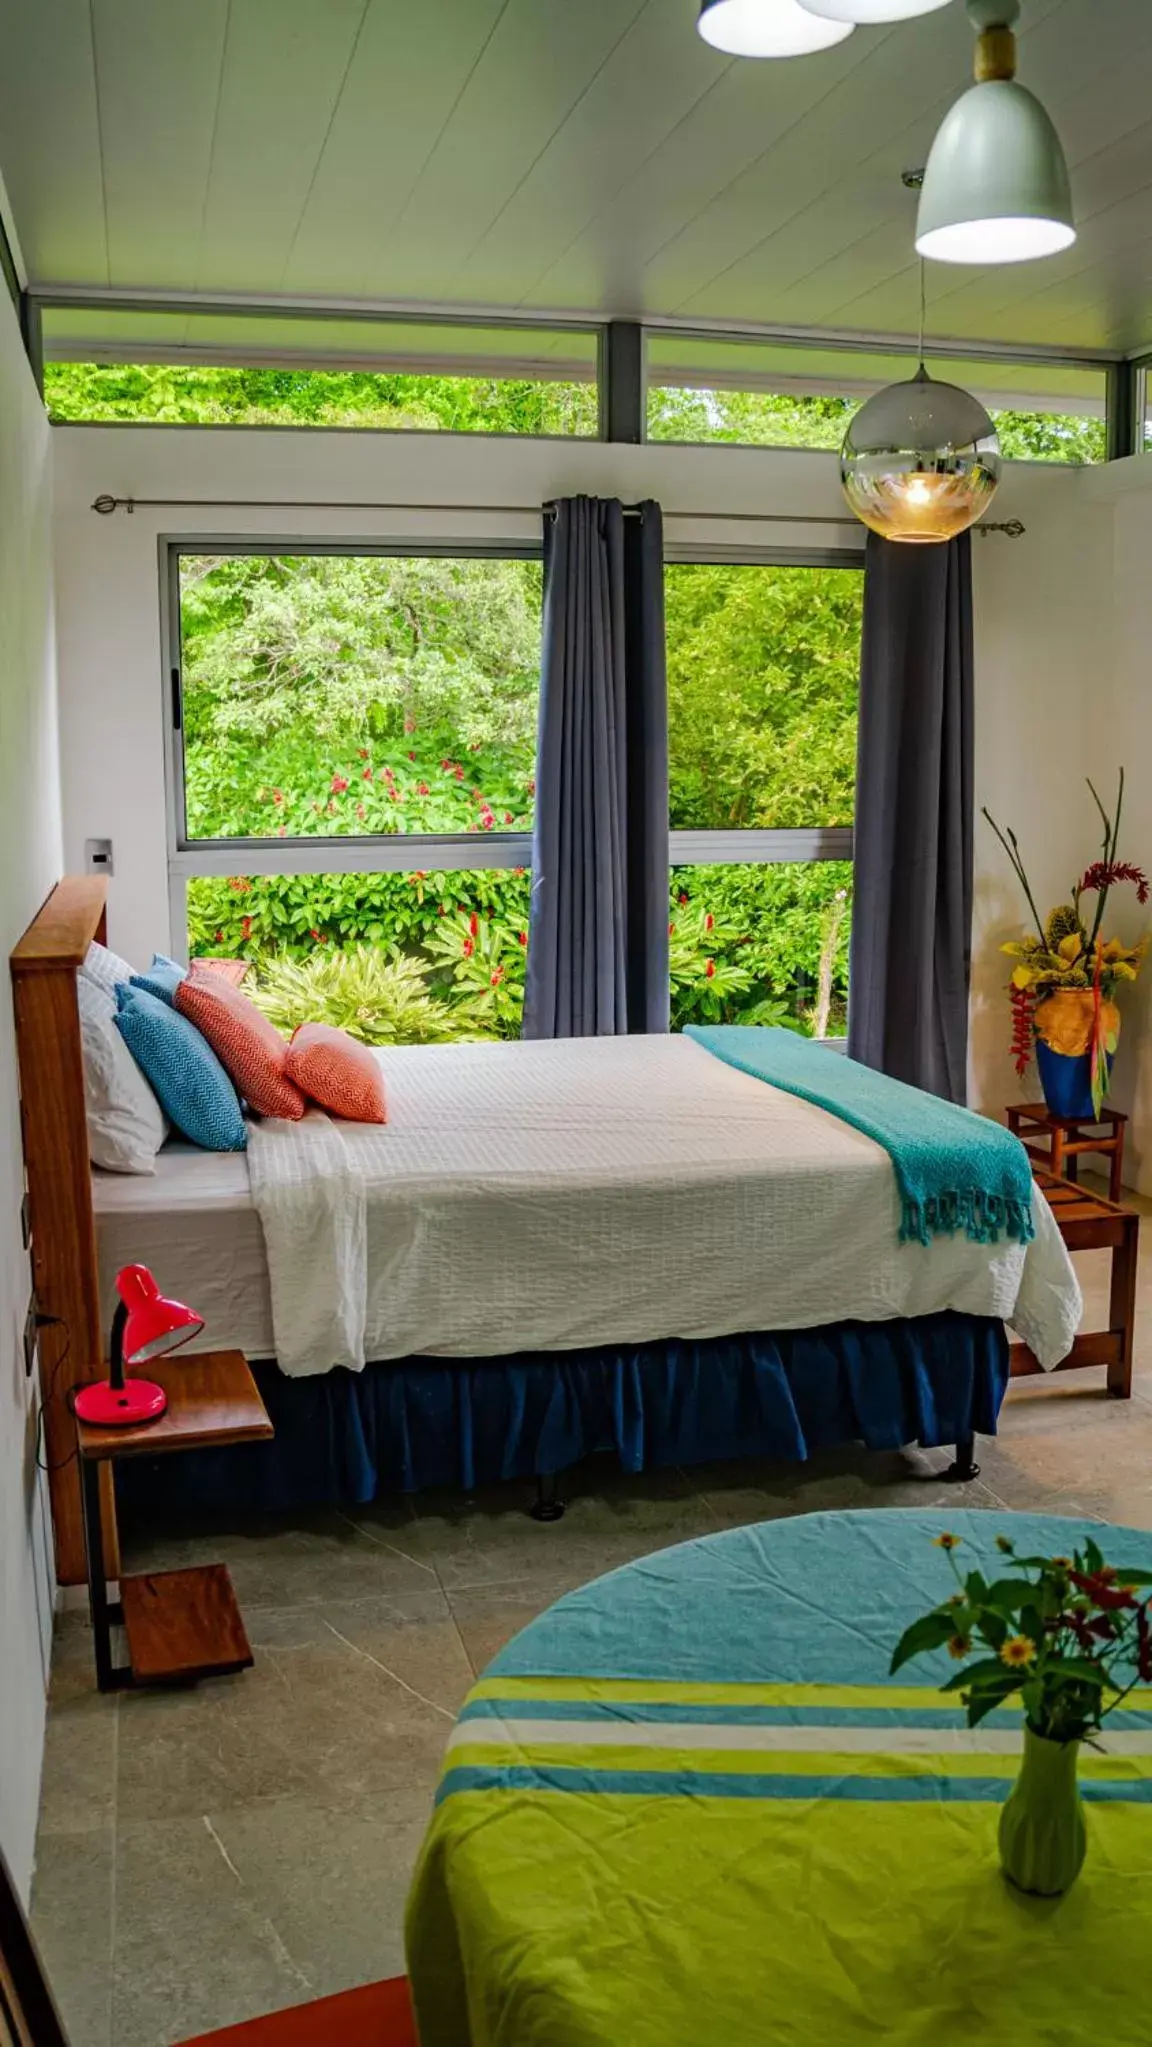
<point>1059,1630</point>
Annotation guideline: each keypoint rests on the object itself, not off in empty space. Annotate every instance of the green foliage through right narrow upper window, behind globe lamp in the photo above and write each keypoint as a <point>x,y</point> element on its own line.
<point>785,421</point>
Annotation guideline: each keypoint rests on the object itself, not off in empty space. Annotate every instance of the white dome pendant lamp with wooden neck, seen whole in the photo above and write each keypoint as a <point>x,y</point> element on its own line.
<point>998,181</point>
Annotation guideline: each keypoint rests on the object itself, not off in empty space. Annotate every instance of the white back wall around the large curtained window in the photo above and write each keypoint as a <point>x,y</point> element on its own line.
<point>1030,613</point>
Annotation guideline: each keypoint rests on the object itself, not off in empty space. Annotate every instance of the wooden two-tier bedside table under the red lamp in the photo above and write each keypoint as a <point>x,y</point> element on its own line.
<point>181,1624</point>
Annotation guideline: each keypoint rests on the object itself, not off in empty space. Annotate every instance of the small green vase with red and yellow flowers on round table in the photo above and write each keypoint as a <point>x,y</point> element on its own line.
<point>1069,1635</point>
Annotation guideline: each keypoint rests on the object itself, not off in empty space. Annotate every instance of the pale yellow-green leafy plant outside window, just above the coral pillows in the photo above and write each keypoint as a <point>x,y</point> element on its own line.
<point>363,992</point>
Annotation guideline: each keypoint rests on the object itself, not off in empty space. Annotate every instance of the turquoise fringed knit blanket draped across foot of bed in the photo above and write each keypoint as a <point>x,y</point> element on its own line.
<point>955,1170</point>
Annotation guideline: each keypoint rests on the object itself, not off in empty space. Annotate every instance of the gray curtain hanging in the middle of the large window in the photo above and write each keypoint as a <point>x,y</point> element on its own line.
<point>599,928</point>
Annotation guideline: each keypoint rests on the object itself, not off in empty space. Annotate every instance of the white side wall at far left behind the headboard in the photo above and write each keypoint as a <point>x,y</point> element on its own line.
<point>30,867</point>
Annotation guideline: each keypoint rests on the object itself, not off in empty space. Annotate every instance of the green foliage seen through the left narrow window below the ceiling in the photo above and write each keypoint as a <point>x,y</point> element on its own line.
<point>212,396</point>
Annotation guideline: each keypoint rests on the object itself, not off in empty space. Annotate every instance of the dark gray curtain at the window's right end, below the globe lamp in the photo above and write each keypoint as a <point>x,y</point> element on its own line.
<point>912,934</point>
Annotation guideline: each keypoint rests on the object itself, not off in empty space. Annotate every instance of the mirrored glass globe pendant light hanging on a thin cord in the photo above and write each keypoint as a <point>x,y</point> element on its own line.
<point>922,462</point>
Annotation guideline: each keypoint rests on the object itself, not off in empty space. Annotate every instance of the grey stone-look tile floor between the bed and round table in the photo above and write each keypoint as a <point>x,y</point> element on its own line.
<point>226,1852</point>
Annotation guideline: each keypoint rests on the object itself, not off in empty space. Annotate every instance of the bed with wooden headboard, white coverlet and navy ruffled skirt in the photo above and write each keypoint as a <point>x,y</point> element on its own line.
<point>549,1250</point>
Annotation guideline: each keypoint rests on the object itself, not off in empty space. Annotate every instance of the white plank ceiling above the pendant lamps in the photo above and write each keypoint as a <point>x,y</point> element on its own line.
<point>586,157</point>
